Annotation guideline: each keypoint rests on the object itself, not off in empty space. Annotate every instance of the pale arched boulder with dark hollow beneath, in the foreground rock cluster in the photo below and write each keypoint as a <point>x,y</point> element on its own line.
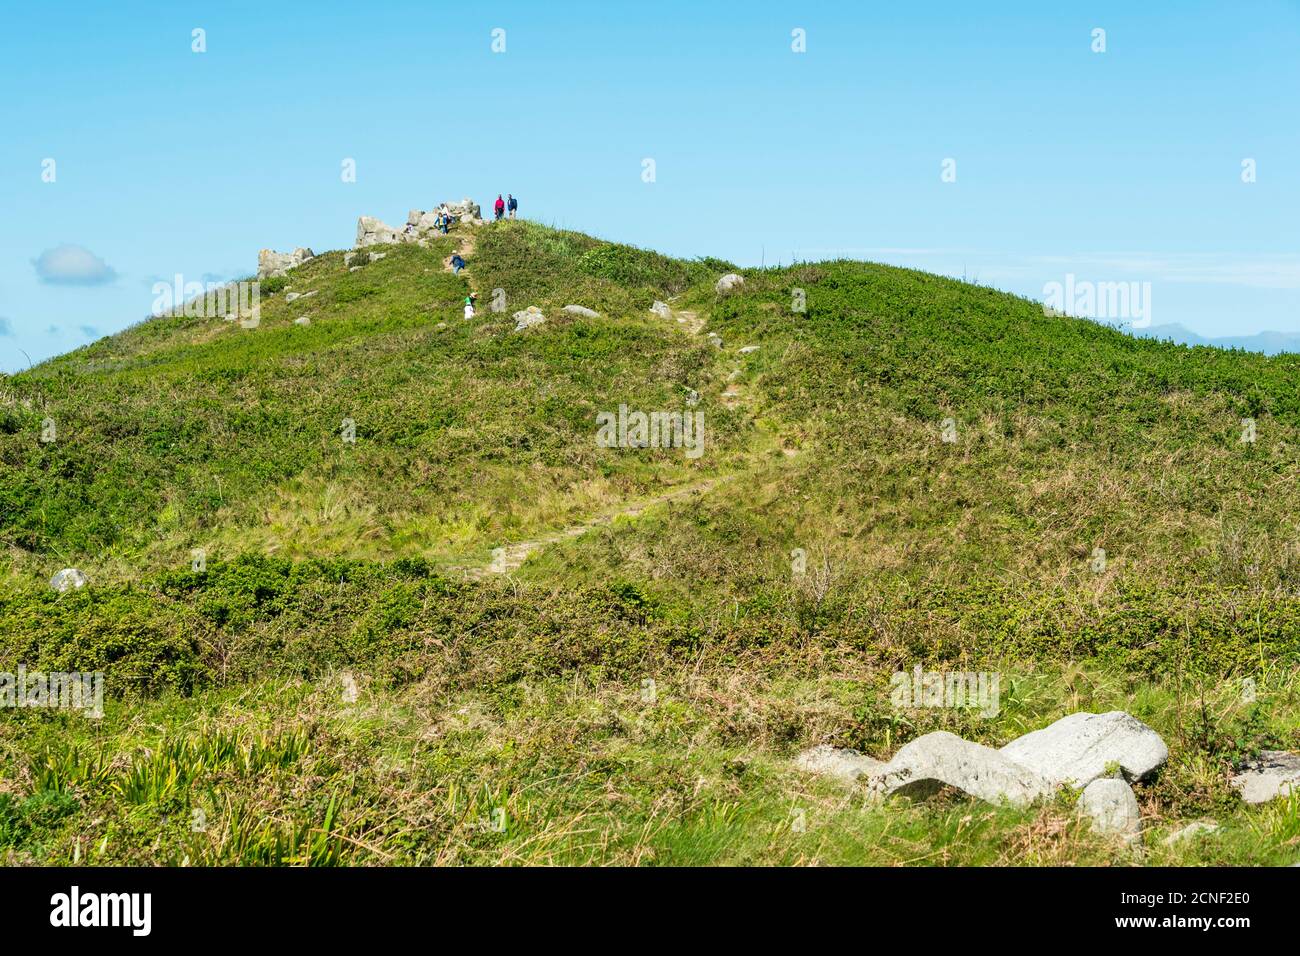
<point>937,760</point>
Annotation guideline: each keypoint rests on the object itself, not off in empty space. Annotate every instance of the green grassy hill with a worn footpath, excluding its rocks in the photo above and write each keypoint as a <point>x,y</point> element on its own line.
<point>352,681</point>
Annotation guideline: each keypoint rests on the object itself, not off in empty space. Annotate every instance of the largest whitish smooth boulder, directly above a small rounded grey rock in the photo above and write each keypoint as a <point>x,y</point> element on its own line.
<point>1077,750</point>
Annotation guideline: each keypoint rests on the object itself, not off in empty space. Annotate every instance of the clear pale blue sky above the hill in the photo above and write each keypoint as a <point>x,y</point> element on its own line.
<point>1124,166</point>
